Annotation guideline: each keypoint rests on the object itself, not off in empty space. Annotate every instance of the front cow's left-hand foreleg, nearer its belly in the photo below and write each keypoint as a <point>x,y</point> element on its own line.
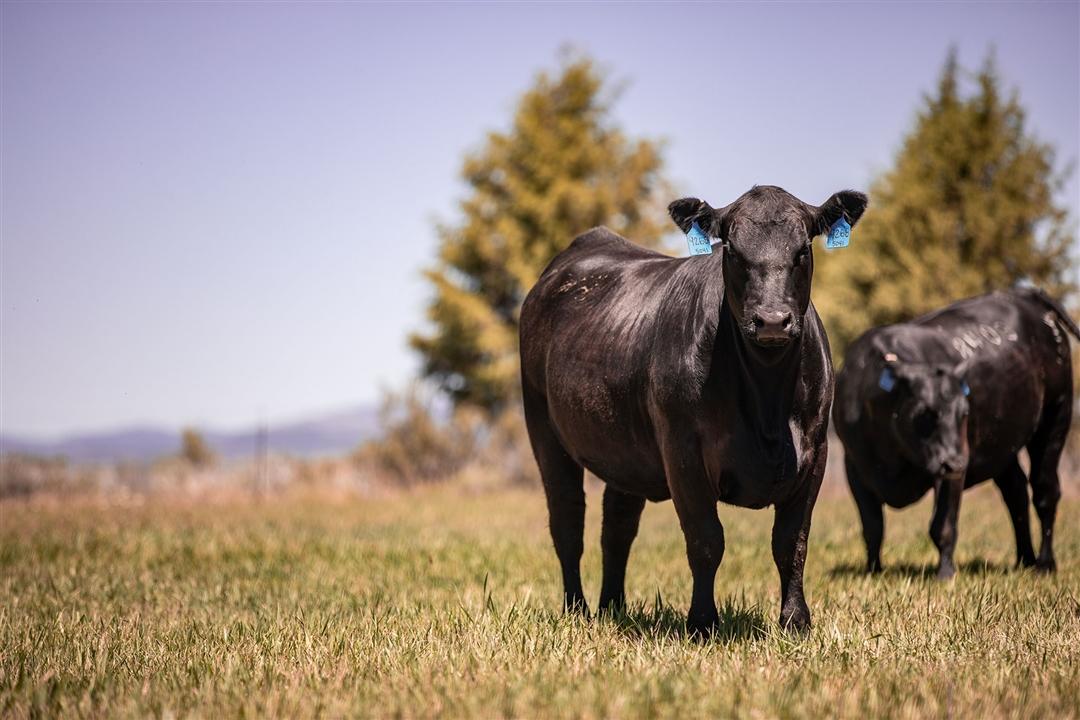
<point>696,506</point>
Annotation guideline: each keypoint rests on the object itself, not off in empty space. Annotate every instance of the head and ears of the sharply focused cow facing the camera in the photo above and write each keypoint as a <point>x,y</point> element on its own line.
<point>768,256</point>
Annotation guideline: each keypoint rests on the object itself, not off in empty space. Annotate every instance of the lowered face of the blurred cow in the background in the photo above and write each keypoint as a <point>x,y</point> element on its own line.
<point>929,415</point>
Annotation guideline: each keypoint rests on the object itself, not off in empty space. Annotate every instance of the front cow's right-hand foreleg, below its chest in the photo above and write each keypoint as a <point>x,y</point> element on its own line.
<point>791,532</point>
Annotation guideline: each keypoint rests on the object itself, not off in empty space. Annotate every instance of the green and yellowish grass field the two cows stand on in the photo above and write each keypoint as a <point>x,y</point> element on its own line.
<point>440,603</point>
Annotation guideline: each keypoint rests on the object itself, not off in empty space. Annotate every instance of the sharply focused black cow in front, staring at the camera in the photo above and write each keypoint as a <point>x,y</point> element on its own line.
<point>700,379</point>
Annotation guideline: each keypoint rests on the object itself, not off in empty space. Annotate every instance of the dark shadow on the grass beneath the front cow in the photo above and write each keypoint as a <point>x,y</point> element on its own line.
<point>737,622</point>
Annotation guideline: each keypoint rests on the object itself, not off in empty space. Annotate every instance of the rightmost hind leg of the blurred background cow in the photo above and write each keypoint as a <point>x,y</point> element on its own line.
<point>1046,452</point>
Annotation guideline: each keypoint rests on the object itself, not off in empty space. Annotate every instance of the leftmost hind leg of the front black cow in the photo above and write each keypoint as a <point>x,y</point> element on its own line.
<point>564,487</point>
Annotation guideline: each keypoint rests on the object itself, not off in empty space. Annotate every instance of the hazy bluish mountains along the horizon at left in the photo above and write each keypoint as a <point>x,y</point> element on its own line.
<point>334,433</point>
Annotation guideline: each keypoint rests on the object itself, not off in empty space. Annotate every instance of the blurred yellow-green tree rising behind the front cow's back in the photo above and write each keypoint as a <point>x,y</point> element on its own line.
<point>563,168</point>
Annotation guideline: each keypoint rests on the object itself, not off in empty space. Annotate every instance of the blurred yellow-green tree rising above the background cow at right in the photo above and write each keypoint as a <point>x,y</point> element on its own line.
<point>969,208</point>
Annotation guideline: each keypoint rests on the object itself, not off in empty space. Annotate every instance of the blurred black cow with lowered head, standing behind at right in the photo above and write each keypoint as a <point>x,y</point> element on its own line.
<point>947,402</point>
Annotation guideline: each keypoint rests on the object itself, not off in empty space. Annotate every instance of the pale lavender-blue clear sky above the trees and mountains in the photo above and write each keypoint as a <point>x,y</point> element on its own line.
<point>218,214</point>
